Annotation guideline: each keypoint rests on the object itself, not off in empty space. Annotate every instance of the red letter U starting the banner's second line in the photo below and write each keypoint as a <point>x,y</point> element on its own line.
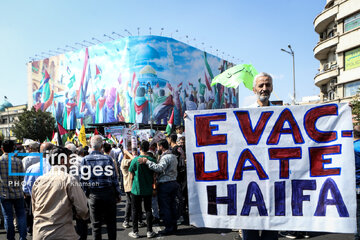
<point>221,174</point>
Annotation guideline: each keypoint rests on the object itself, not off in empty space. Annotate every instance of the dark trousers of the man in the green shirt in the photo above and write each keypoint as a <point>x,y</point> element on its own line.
<point>136,209</point>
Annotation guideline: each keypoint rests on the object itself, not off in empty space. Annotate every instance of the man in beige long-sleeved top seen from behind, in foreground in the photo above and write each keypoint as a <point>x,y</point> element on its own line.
<point>55,196</point>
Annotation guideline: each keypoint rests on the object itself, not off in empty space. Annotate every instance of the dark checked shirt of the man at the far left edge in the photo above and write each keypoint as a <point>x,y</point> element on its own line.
<point>10,186</point>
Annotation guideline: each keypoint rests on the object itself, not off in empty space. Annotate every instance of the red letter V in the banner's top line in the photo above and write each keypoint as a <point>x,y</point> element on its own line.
<point>252,136</point>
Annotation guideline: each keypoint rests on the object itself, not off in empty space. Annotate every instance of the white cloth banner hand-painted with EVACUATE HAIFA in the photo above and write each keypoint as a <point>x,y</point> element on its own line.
<point>272,168</point>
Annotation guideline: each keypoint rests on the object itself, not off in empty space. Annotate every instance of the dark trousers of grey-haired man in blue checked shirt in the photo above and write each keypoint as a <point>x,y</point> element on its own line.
<point>102,205</point>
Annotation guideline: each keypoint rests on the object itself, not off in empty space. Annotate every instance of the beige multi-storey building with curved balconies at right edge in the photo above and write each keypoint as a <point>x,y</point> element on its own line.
<point>338,50</point>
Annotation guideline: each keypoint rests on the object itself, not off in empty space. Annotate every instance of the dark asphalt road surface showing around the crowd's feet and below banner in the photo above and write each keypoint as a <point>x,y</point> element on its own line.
<point>189,232</point>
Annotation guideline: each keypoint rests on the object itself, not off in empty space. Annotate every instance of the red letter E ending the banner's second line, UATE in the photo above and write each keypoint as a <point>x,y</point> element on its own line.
<point>317,160</point>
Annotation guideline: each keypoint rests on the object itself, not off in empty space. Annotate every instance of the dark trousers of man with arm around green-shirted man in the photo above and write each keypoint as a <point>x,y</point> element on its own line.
<point>166,197</point>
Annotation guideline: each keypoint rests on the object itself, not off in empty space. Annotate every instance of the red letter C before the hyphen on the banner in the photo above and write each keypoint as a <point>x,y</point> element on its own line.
<point>310,123</point>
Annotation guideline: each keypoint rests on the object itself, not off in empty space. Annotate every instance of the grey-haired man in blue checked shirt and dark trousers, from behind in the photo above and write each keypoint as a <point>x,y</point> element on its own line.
<point>101,187</point>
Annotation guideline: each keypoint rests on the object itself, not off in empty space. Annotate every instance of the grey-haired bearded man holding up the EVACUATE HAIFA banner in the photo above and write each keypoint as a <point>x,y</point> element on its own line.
<point>262,87</point>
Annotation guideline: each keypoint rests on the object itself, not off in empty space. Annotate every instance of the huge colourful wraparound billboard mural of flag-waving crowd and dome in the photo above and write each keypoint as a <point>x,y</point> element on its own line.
<point>134,79</point>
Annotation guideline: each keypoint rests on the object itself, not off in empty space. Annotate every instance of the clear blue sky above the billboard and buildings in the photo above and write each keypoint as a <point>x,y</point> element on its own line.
<point>250,31</point>
